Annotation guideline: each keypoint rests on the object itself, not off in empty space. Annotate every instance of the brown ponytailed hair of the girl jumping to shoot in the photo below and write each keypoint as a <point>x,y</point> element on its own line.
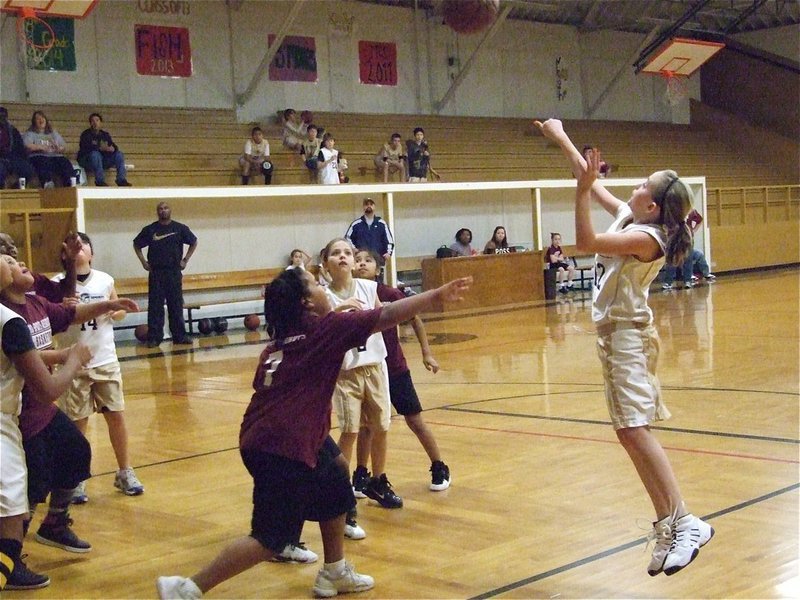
<point>674,199</point>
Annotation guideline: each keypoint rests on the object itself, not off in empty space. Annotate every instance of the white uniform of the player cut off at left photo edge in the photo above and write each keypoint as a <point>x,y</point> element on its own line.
<point>13,472</point>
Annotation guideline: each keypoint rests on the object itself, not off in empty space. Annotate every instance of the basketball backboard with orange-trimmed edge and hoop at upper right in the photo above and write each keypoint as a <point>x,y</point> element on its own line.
<point>676,61</point>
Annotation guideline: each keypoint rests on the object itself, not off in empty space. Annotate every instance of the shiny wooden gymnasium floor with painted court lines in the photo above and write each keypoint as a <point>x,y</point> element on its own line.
<point>544,502</point>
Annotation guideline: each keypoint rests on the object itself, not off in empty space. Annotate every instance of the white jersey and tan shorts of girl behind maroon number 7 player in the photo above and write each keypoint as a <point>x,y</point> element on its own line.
<point>361,396</point>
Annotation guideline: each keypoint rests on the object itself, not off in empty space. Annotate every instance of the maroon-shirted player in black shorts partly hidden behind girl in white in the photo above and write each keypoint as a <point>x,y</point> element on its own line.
<point>402,393</point>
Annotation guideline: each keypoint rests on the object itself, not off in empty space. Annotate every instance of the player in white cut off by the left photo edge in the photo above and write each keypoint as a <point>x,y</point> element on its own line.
<point>21,365</point>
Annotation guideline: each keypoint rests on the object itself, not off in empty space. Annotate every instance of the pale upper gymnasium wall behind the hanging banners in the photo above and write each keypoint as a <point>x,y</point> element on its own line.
<point>514,76</point>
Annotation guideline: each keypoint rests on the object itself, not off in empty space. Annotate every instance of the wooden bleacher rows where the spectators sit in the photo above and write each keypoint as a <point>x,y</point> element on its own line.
<point>200,147</point>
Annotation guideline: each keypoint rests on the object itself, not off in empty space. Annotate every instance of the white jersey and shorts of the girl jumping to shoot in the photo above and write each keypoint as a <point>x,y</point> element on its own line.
<point>627,342</point>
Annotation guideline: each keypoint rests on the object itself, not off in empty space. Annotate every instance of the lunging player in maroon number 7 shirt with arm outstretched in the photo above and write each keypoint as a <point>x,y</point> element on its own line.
<point>284,439</point>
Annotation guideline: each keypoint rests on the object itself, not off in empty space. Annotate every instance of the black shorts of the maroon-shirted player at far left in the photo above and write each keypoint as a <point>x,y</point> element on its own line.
<point>59,457</point>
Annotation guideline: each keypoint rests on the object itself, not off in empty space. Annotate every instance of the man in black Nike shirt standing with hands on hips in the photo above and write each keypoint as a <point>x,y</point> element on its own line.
<point>165,239</point>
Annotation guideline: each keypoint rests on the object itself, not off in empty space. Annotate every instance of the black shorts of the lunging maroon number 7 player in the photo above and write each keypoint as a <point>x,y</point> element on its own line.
<point>286,493</point>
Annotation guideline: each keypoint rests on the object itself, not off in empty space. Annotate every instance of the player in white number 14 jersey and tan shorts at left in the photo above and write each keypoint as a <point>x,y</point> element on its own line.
<point>98,388</point>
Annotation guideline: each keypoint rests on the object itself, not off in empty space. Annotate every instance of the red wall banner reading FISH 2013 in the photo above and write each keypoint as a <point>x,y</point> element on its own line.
<point>163,51</point>
